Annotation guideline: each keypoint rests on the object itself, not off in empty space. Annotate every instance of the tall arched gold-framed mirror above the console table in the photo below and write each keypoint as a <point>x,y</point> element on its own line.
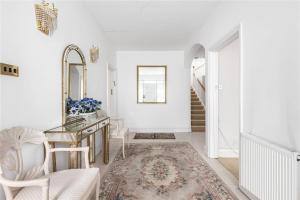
<point>74,72</point>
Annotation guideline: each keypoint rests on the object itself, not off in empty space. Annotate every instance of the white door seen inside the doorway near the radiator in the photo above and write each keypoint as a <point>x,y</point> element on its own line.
<point>229,97</point>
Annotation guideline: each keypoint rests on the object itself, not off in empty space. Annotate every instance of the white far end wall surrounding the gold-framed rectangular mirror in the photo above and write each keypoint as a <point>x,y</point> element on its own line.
<point>173,116</point>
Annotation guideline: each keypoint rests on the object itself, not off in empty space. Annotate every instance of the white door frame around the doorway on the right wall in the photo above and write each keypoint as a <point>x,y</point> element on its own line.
<point>212,122</point>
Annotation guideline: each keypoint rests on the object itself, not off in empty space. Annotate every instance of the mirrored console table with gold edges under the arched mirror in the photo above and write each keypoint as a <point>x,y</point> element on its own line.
<point>74,132</point>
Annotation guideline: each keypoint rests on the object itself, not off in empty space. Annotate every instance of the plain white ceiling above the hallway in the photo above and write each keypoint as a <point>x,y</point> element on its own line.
<point>150,25</point>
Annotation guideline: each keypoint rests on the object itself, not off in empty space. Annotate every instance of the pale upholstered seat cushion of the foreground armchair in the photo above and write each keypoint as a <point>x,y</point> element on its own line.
<point>72,184</point>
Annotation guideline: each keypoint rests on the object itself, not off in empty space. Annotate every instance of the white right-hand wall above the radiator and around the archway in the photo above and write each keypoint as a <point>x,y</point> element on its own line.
<point>271,64</point>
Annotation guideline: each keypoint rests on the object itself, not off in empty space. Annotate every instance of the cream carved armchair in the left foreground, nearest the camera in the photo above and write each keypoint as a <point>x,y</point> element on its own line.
<point>37,183</point>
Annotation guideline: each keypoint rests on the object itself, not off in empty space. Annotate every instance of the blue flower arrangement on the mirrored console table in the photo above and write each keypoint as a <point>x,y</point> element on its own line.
<point>83,106</point>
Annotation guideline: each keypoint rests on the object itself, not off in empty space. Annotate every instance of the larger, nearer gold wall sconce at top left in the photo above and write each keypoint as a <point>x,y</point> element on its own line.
<point>46,17</point>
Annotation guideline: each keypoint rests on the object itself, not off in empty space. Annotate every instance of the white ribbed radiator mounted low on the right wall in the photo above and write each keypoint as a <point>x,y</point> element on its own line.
<point>267,171</point>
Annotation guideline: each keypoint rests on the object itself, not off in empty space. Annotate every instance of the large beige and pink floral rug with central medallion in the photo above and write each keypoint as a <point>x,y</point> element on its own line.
<point>162,171</point>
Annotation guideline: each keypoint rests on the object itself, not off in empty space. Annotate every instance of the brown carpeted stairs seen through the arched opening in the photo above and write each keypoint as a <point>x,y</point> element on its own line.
<point>197,114</point>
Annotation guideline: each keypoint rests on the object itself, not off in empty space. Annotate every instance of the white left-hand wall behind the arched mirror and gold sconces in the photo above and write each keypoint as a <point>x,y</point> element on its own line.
<point>34,99</point>
